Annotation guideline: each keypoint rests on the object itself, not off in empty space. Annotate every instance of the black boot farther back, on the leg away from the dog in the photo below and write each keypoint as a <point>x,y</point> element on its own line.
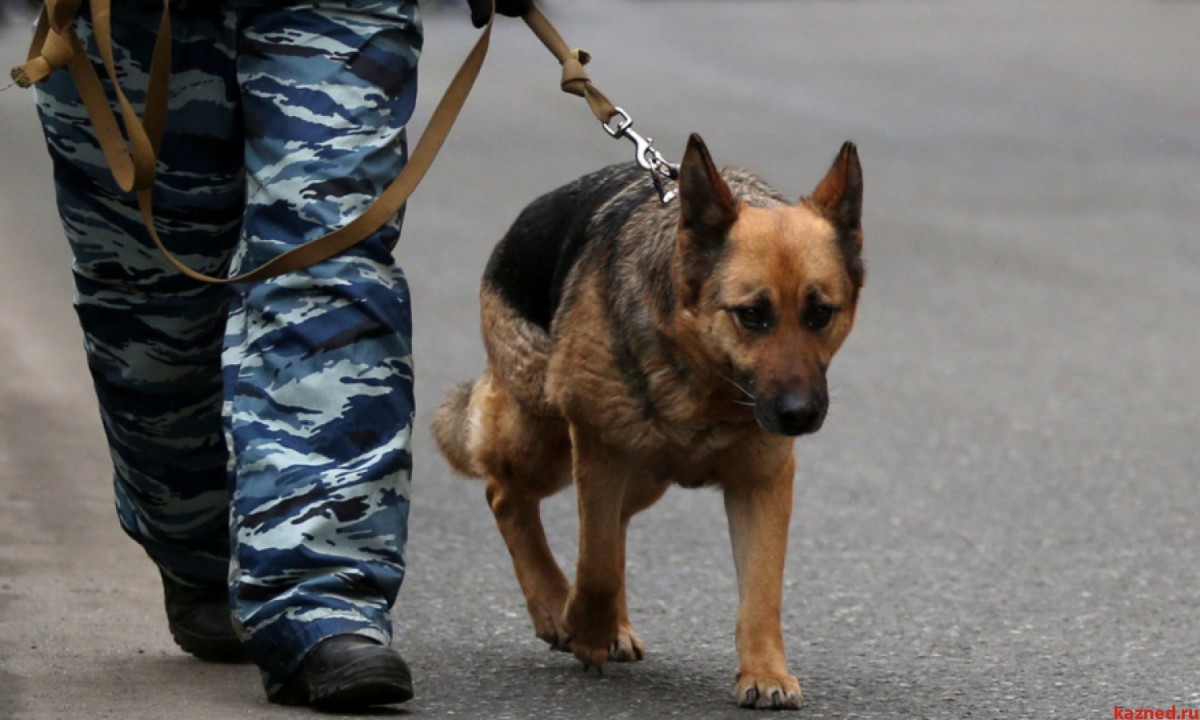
<point>200,621</point>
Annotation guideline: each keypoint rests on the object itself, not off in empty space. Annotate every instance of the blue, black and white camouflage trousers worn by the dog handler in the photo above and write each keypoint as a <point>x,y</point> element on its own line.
<point>260,434</point>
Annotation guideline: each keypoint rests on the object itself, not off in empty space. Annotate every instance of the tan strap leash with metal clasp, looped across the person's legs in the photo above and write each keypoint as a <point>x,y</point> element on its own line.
<point>133,157</point>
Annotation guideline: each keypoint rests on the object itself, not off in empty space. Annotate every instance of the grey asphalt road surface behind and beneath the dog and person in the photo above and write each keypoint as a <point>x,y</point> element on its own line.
<point>1000,519</point>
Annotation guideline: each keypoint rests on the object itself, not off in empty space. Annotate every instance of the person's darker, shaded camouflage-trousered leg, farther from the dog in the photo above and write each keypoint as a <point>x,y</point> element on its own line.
<point>153,339</point>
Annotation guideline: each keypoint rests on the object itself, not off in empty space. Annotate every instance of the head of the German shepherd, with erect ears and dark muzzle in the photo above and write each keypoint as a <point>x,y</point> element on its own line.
<point>771,292</point>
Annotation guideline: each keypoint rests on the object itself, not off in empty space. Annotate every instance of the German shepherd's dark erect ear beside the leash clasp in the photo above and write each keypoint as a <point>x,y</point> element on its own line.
<point>707,211</point>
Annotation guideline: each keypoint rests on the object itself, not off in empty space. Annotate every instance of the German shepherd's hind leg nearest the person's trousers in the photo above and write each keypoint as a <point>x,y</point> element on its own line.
<point>526,460</point>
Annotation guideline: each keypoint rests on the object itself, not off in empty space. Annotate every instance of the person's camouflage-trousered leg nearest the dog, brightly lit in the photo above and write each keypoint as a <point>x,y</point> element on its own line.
<point>319,369</point>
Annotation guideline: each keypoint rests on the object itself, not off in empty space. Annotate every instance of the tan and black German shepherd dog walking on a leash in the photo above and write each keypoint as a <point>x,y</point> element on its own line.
<point>632,346</point>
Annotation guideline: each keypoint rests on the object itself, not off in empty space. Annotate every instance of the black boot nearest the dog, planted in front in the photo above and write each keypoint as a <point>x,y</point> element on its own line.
<point>349,673</point>
